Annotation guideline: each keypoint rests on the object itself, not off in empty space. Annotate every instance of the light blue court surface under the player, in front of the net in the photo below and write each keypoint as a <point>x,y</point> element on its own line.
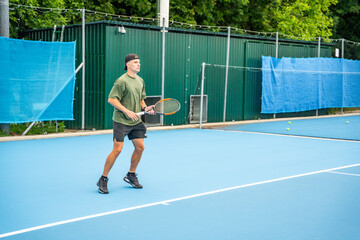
<point>198,184</point>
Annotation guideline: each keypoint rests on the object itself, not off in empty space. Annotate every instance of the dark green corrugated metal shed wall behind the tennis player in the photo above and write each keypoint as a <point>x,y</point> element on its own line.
<point>185,51</point>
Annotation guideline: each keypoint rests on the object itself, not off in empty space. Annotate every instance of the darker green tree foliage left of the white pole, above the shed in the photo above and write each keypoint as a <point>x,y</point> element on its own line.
<point>22,18</point>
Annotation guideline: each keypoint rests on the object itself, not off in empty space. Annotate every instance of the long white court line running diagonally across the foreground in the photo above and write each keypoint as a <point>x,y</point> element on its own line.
<point>166,202</point>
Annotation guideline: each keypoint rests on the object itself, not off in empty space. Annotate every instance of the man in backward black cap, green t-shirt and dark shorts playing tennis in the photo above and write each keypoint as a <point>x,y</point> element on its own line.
<point>127,97</point>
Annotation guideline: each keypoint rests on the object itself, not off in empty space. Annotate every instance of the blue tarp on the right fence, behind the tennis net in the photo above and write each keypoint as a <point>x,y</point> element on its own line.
<point>301,84</point>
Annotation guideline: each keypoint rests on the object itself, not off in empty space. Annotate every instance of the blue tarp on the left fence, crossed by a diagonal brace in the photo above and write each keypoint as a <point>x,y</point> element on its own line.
<point>37,80</point>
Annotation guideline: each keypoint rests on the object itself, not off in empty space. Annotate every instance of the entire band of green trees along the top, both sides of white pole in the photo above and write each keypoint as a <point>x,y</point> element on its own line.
<point>301,18</point>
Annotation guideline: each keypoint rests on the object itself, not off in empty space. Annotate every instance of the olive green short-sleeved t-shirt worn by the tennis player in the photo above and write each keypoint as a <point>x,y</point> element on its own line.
<point>129,91</point>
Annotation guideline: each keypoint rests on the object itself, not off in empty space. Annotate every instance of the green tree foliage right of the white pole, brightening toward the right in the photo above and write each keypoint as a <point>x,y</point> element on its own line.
<point>304,18</point>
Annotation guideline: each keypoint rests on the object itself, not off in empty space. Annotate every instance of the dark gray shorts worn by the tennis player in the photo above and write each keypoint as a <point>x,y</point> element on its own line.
<point>133,132</point>
